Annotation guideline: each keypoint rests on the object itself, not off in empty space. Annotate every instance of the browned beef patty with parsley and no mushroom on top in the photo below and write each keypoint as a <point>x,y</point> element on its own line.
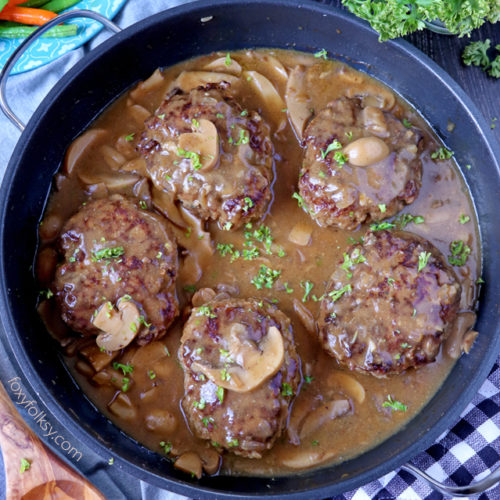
<point>389,305</point>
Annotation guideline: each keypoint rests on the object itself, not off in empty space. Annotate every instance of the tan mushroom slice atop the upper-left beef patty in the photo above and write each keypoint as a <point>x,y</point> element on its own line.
<point>204,140</point>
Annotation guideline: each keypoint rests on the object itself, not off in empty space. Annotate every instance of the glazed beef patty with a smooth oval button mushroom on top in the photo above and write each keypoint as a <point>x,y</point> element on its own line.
<point>343,194</point>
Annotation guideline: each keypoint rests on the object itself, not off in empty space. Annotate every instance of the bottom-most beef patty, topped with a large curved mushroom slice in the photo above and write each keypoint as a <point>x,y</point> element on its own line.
<point>222,336</point>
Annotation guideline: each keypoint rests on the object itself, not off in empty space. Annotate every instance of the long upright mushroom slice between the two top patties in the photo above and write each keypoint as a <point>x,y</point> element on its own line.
<point>297,100</point>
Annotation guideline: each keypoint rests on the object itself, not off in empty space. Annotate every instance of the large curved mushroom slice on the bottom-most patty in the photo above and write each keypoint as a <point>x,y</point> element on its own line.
<point>252,364</point>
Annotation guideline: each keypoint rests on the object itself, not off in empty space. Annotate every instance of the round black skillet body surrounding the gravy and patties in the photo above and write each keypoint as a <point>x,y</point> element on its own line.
<point>165,39</point>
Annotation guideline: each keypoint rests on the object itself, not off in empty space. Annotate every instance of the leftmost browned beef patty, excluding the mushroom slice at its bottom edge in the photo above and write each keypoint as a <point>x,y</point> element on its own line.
<point>111,249</point>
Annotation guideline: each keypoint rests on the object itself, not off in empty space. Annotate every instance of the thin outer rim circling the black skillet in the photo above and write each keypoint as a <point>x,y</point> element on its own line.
<point>39,386</point>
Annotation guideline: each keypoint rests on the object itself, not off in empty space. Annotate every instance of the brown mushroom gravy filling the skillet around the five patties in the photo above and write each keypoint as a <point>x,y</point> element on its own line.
<point>443,199</point>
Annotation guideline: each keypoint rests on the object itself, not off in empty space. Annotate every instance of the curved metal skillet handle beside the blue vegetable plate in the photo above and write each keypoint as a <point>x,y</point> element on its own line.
<point>39,32</point>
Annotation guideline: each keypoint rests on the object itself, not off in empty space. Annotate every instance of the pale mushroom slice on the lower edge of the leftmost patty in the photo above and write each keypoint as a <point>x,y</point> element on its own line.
<point>120,327</point>
